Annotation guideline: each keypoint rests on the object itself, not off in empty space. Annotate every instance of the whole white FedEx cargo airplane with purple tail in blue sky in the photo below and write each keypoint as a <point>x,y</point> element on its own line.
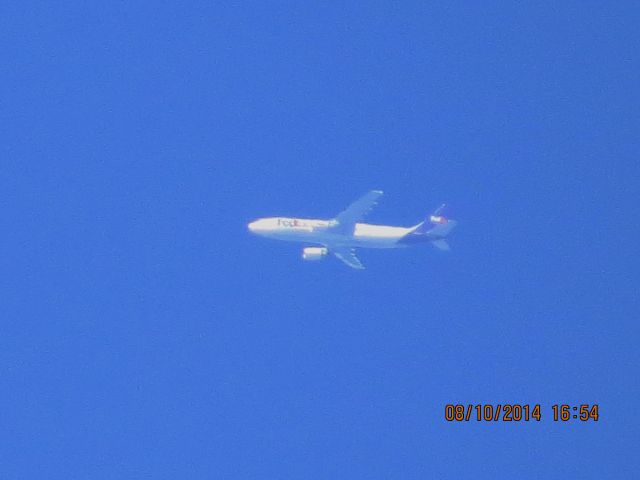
<point>344,233</point>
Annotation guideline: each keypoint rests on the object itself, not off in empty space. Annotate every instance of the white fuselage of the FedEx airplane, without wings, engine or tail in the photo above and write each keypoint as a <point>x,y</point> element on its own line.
<point>323,232</point>
